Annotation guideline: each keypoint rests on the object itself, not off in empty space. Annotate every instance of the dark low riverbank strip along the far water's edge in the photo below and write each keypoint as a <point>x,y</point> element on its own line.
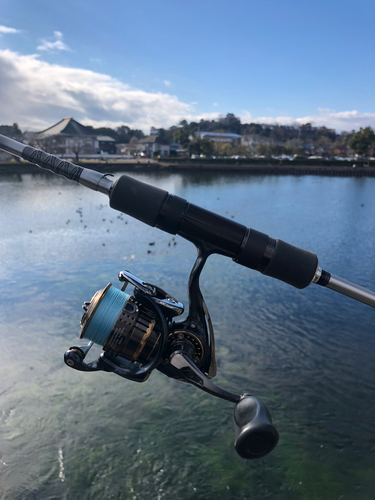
<point>251,166</point>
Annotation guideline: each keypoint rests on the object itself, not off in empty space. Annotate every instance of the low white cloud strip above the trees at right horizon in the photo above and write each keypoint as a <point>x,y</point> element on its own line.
<point>338,120</point>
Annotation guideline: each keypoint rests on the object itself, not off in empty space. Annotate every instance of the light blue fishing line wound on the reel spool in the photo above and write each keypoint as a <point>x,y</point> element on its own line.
<point>104,318</point>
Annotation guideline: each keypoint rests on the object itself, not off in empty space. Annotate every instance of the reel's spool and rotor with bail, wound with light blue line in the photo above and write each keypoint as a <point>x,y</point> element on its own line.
<point>131,329</point>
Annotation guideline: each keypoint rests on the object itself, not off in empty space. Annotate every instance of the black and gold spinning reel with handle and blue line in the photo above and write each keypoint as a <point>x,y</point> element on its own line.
<point>139,333</point>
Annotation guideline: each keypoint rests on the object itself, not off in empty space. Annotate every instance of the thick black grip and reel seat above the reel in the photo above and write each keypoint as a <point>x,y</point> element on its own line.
<point>247,247</point>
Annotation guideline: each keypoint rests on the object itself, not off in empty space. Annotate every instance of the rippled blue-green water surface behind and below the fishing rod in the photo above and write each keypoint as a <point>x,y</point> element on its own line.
<point>309,355</point>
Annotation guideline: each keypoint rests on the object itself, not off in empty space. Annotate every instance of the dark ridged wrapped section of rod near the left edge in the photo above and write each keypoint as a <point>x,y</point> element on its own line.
<point>52,163</point>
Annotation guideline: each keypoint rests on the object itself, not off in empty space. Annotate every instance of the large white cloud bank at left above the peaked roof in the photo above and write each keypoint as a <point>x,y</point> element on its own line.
<point>36,94</point>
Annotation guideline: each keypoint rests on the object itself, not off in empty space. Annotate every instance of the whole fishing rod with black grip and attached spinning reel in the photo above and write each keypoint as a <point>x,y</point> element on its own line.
<point>139,331</point>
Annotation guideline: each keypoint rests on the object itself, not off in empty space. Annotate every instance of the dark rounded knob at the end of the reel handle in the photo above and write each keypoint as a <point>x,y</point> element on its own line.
<point>256,436</point>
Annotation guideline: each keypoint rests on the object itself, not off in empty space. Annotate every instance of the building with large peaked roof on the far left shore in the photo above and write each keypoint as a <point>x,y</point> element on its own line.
<point>70,138</point>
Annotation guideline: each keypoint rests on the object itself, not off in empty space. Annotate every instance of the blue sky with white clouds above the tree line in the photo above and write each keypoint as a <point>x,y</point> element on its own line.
<point>154,63</point>
